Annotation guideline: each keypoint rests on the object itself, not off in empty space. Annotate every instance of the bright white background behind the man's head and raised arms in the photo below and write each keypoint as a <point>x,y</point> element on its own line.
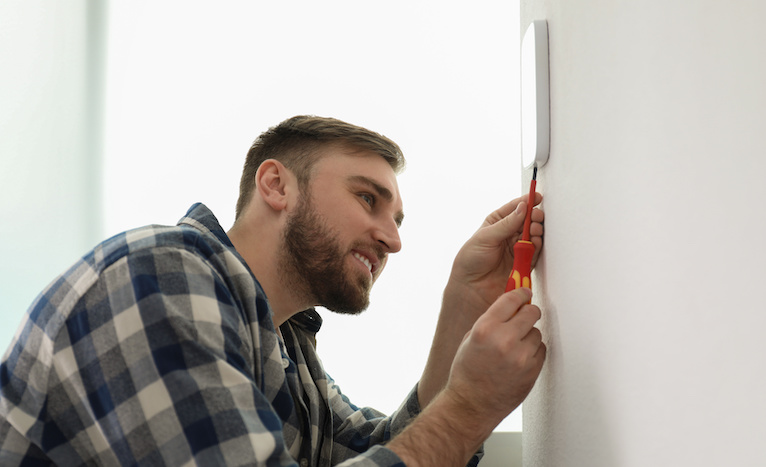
<point>190,84</point>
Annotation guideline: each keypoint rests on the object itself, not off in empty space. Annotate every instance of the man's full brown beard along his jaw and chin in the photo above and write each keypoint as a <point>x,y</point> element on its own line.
<point>313,263</point>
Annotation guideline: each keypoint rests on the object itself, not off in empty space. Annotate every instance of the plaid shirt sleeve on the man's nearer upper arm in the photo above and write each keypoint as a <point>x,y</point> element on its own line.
<point>158,367</point>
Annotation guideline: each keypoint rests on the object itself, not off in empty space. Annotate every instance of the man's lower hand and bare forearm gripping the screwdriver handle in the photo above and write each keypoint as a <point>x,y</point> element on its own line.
<point>496,366</point>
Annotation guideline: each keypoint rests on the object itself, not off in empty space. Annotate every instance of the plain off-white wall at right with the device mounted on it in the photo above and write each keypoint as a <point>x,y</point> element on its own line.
<point>653,270</point>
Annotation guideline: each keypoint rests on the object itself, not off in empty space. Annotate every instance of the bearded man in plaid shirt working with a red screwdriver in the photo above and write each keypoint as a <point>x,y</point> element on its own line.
<point>188,345</point>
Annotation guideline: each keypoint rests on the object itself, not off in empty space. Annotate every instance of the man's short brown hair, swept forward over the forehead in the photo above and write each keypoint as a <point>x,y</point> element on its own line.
<point>296,143</point>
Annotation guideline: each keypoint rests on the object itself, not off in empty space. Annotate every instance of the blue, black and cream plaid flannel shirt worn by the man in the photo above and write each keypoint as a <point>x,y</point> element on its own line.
<point>158,348</point>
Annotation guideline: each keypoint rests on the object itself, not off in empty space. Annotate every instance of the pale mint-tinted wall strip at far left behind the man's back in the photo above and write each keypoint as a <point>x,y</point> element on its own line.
<point>50,95</point>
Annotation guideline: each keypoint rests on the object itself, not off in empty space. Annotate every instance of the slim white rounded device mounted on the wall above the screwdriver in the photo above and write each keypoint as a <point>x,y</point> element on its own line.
<point>535,106</point>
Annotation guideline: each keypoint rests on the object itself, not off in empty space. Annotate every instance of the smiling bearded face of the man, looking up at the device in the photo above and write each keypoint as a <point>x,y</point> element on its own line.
<point>337,238</point>
